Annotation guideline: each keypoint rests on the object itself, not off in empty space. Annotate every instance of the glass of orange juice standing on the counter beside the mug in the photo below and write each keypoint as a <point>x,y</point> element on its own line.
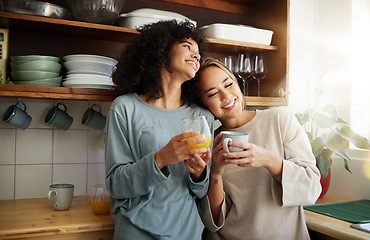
<point>100,200</point>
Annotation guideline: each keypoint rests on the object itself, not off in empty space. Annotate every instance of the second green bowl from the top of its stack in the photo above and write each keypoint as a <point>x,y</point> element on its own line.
<point>38,65</point>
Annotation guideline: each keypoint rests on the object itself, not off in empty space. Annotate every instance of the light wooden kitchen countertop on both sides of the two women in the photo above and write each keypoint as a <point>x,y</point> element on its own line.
<point>36,218</point>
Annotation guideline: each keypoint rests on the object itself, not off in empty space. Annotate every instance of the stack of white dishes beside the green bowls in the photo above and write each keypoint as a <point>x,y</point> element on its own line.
<point>89,71</point>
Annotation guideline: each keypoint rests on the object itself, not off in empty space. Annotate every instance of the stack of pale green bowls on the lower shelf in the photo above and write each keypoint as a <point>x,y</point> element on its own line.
<point>36,70</point>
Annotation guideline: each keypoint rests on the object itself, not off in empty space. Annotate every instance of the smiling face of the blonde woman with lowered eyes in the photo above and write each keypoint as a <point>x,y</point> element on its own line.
<point>220,94</point>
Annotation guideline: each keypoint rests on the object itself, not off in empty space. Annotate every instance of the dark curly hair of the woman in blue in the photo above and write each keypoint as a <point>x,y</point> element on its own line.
<point>139,67</point>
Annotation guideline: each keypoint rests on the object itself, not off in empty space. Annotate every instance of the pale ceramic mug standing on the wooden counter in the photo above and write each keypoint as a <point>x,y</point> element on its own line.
<point>61,195</point>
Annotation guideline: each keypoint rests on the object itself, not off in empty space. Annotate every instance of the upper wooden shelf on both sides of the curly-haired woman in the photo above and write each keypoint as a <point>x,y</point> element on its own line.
<point>15,21</point>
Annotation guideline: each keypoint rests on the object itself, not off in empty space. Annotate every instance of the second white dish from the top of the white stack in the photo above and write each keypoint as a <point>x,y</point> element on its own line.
<point>104,68</point>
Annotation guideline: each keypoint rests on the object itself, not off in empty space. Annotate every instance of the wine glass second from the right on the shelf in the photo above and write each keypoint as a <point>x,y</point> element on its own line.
<point>243,69</point>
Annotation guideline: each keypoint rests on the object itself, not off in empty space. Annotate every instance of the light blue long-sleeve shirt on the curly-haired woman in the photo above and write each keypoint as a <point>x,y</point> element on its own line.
<point>151,203</point>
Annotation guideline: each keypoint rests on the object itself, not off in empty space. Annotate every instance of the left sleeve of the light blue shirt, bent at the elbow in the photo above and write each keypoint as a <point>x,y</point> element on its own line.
<point>126,175</point>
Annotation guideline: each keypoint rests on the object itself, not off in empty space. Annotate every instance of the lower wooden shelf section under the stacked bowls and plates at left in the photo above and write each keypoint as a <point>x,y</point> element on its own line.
<point>10,90</point>
